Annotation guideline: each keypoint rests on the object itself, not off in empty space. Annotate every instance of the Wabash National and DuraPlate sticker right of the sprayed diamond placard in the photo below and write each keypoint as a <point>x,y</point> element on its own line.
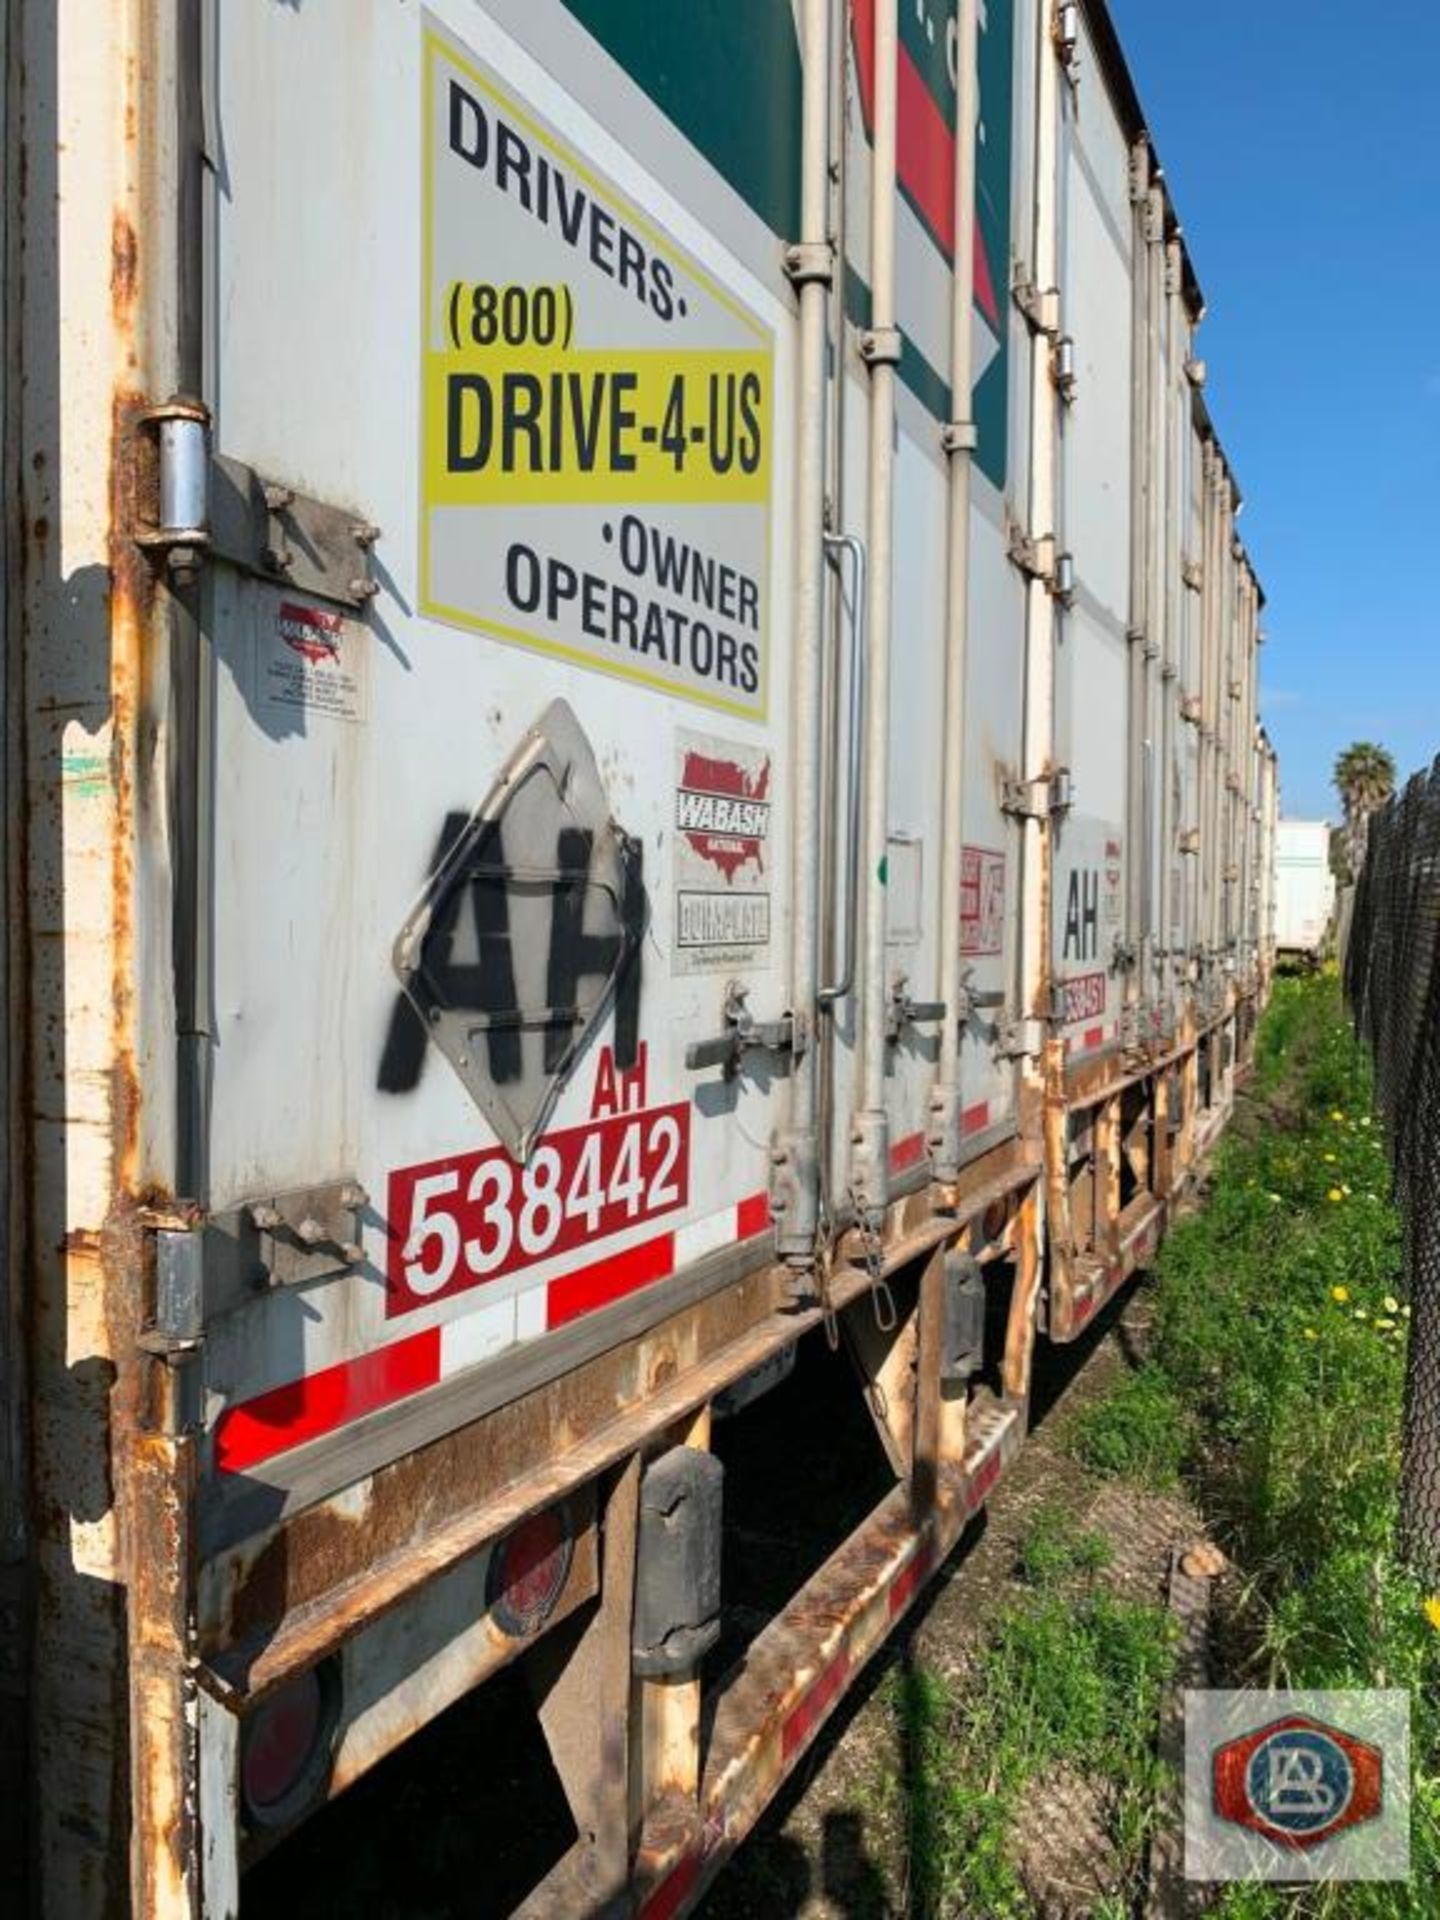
<point>723,855</point>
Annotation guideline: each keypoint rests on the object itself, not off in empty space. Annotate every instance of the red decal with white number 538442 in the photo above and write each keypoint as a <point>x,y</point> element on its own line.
<point>458,1224</point>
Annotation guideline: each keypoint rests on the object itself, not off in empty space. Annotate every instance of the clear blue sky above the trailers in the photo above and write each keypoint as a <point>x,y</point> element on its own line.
<point>1303,153</point>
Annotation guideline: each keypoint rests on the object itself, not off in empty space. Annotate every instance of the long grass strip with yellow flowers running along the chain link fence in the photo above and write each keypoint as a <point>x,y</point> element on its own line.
<point>1276,1385</point>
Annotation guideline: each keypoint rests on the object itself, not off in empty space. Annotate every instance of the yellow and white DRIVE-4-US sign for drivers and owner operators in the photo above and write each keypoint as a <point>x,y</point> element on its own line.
<point>596,412</point>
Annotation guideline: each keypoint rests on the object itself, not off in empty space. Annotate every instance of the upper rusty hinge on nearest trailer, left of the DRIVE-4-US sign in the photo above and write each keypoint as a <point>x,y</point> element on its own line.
<point>191,506</point>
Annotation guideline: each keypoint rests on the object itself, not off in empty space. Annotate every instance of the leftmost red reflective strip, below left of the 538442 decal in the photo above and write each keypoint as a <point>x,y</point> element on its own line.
<point>304,1410</point>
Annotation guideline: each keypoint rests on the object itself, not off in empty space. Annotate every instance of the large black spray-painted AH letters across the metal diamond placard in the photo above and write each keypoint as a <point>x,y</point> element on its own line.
<point>485,986</point>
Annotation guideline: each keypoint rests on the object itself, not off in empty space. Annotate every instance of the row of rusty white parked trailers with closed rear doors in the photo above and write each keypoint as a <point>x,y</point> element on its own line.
<point>631,734</point>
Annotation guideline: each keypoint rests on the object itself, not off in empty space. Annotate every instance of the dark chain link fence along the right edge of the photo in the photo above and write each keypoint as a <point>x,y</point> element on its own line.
<point>1393,984</point>
